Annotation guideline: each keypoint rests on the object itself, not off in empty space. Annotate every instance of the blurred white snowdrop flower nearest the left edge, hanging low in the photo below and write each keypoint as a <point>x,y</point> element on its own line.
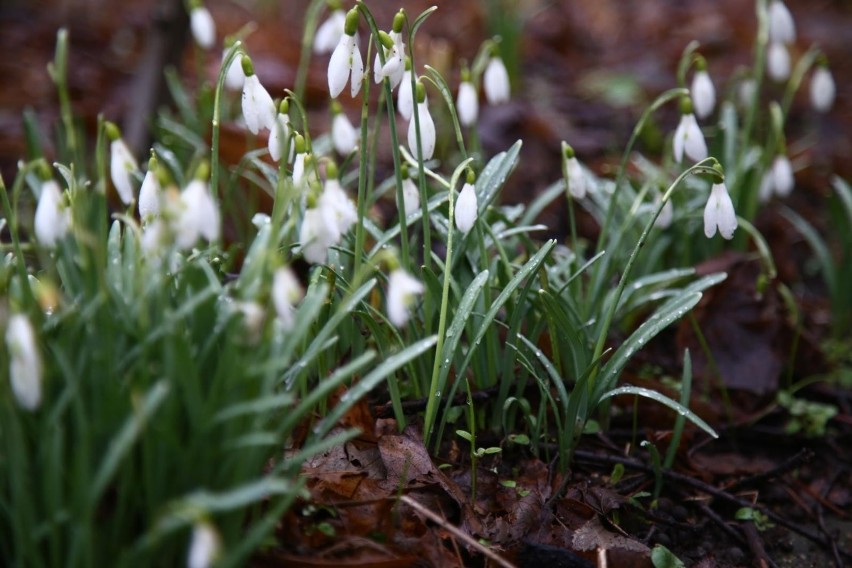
<point>25,371</point>
